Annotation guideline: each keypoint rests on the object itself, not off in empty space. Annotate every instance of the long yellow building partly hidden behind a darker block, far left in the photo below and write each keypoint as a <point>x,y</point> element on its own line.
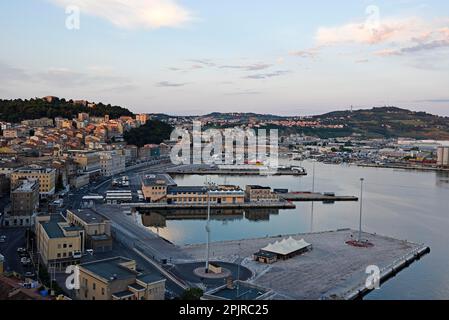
<point>46,177</point>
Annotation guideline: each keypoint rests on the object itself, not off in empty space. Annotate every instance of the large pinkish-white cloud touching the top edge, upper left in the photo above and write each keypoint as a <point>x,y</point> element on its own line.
<point>133,14</point>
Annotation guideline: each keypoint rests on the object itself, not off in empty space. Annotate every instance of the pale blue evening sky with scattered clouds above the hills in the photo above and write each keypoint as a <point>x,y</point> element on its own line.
<point>286,57</point>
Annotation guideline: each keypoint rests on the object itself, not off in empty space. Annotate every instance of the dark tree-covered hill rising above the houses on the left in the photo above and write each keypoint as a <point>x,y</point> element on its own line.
<point>51,107</point>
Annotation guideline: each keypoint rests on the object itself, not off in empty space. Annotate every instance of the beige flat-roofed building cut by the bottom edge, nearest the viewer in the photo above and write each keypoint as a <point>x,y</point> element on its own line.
<point>117,279</point>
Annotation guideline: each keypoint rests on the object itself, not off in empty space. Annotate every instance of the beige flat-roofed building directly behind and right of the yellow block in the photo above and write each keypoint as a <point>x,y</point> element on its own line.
<point>97,228</point>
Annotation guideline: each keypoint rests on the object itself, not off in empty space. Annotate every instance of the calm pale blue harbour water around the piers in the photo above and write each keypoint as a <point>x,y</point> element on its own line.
<point>403,204</point>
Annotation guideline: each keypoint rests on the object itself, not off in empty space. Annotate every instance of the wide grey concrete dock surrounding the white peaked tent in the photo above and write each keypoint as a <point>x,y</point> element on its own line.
<point>331,270</point>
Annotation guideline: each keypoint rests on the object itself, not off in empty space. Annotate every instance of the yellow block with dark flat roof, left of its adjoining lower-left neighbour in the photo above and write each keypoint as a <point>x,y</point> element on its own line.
<point>59,243</point>
